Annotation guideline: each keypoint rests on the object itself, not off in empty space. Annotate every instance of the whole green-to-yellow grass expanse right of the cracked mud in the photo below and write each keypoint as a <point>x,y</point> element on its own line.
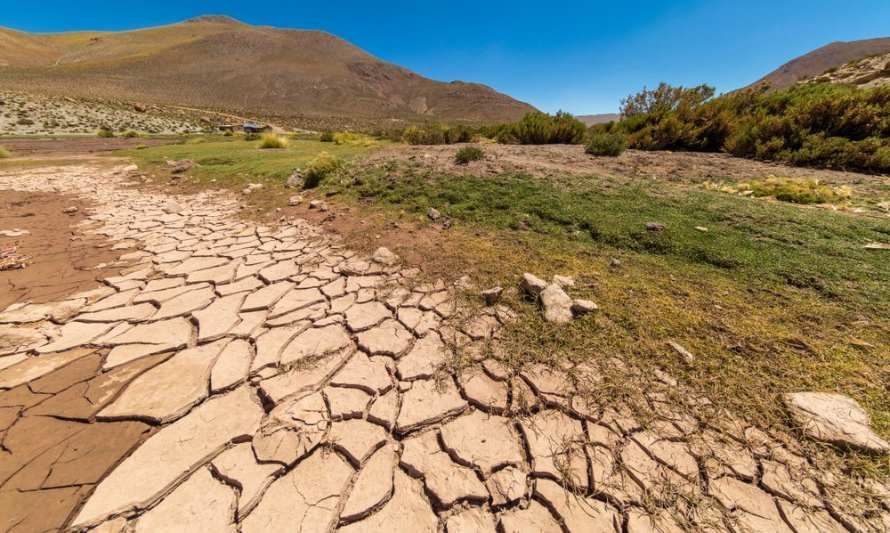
<point>771,297</point>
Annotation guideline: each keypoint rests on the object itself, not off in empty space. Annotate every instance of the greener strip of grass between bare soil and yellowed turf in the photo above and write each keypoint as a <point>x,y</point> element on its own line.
<point>812,249</point>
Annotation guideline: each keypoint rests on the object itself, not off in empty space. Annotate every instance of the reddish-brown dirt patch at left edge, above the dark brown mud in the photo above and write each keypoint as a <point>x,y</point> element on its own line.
<point>59,265</point>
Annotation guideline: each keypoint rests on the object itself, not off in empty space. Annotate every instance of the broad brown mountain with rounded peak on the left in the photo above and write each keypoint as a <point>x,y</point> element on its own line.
<point>219,63</point>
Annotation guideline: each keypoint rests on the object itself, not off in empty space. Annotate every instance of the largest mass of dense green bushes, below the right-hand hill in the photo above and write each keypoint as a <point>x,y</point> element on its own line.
<point>822,125</point>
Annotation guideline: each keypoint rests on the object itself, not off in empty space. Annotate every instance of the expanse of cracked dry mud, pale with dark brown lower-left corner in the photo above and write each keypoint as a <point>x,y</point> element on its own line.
<point>248,378</point>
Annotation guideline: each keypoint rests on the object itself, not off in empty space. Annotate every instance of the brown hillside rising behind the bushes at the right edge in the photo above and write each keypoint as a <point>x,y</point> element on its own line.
<point>821,60</point>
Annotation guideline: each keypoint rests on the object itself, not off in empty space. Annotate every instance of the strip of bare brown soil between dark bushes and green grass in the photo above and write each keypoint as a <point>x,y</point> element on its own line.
<point>570,159</point>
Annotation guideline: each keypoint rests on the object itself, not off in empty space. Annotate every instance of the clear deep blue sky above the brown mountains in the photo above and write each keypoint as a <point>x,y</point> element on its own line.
<point>578,56</point>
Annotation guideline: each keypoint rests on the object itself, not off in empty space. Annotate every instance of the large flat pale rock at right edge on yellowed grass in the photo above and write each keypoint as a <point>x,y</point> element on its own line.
<point>834,418</point>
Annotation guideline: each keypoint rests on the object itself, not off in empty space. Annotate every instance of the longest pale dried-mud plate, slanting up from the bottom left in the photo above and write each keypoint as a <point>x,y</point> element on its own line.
<point>171,453</point>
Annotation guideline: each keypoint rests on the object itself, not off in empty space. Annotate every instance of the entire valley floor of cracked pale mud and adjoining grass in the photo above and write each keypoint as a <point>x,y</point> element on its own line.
<point>269,370</point>
